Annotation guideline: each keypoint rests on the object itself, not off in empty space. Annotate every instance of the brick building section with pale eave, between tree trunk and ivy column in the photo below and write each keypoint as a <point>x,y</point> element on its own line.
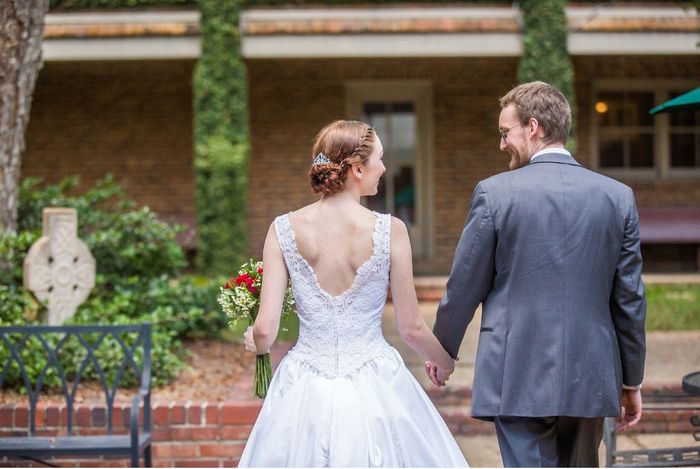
<point>115,96</point>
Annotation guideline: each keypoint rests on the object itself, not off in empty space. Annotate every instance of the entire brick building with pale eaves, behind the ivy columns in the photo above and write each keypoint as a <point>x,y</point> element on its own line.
<point>115,96</point>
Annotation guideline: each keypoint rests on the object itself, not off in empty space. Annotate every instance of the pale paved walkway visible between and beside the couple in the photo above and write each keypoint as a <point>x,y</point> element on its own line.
<point>670,355</point>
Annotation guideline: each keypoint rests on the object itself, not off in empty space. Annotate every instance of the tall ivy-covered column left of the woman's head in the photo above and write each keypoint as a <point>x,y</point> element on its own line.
<point>221,140</point>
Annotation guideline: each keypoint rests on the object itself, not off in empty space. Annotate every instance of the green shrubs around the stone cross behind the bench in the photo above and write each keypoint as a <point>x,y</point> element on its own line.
<point>139,267</point>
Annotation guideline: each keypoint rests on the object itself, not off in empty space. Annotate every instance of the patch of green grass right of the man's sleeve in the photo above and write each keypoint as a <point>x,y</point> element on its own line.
<point>673,307</point>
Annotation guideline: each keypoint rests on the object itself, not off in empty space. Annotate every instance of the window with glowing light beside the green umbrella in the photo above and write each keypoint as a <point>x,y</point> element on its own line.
<point>628,141</point>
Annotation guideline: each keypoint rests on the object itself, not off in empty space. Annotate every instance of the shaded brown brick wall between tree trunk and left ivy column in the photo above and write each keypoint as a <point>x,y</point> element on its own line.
<point>131,119</point>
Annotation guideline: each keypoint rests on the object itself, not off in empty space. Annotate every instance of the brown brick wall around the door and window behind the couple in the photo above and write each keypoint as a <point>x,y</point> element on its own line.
<point>290,100</point>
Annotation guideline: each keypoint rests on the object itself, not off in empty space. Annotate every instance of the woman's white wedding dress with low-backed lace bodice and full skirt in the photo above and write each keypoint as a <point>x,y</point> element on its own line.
<point>342,396</point>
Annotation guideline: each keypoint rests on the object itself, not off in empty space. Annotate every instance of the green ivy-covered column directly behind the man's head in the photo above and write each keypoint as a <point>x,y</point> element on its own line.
<point>545,55</point>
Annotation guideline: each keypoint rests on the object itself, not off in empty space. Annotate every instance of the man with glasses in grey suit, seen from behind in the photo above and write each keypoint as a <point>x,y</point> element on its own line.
<point>552,252</point>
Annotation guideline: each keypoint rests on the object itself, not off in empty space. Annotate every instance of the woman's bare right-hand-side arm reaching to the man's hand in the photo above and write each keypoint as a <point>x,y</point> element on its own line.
<point>411,325</point>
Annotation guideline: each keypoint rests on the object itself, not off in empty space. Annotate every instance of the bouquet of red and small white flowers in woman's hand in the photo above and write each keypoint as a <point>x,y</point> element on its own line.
<point>240,300</point>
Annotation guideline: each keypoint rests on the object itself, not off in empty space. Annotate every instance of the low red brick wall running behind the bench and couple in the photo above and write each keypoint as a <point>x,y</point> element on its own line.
<point>202,434</point>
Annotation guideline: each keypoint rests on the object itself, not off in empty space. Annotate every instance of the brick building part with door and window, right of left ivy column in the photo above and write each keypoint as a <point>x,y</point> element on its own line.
<point>429,78</point>
